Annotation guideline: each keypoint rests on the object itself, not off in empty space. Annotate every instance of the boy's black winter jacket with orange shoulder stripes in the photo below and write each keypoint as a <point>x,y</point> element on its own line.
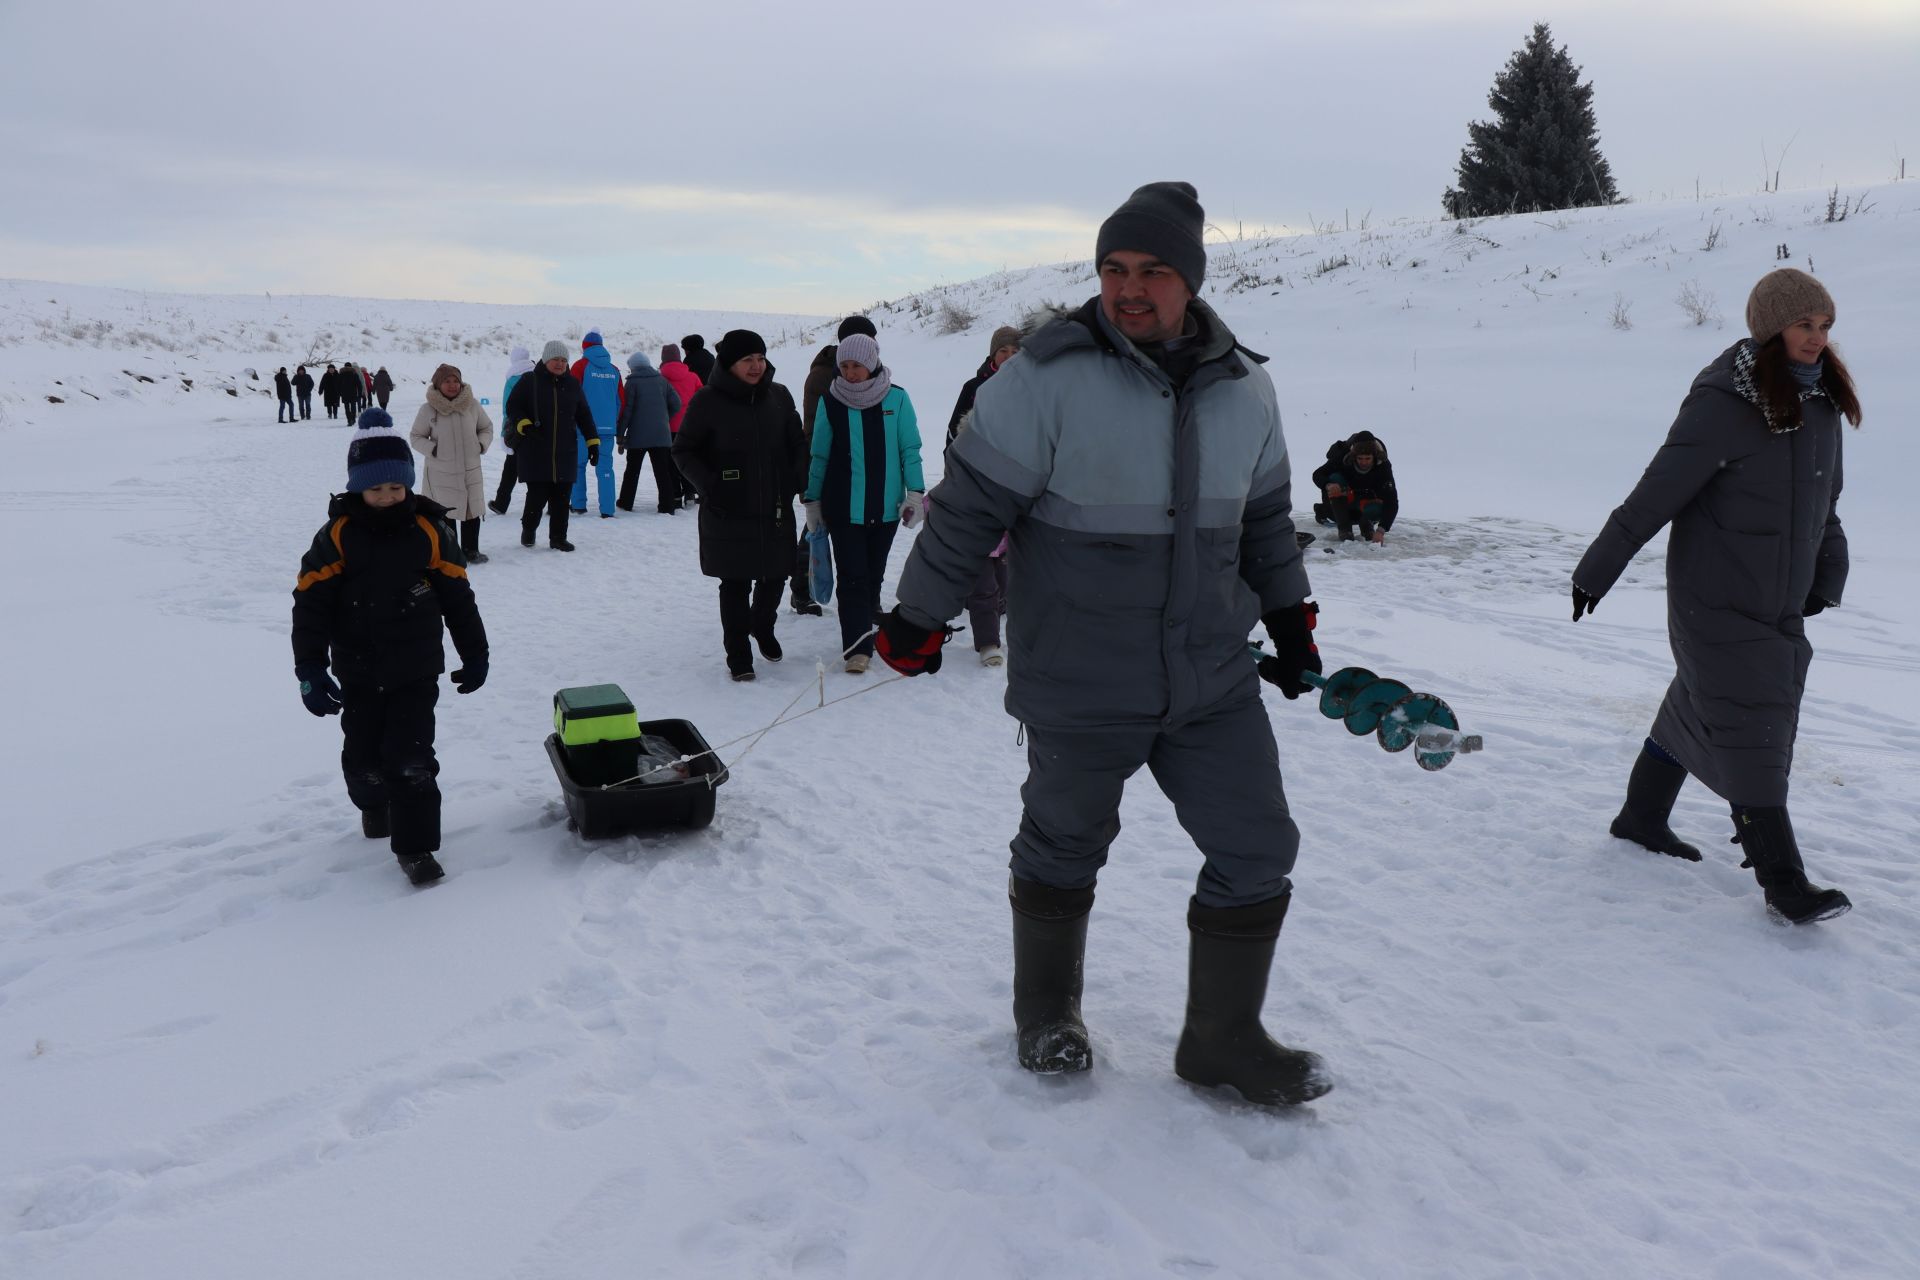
<point>375,592</point>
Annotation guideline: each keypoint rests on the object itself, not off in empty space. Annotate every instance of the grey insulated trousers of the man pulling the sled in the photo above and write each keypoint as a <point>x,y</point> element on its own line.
<point>1220,770</point>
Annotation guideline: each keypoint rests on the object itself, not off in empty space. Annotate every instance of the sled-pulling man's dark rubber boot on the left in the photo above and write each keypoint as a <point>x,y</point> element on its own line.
<point>1049,970</point>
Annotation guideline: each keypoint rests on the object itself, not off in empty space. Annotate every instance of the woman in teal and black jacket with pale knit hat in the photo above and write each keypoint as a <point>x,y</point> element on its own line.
<point>865,485</point>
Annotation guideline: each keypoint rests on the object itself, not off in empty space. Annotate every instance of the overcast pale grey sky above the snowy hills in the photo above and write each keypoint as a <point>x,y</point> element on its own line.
<point>817,158</point>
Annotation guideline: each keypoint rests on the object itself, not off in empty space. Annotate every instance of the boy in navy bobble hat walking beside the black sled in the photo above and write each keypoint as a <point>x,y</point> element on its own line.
<point>379,586</point>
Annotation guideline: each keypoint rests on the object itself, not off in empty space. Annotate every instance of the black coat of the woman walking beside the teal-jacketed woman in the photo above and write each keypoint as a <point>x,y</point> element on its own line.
<point>742,450</point>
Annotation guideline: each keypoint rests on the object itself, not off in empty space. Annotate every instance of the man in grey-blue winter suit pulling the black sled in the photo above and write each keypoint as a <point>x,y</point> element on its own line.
<point>1143,565</point>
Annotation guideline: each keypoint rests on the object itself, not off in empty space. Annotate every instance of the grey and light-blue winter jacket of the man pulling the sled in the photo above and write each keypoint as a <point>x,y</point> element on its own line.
<point>1151,525</point>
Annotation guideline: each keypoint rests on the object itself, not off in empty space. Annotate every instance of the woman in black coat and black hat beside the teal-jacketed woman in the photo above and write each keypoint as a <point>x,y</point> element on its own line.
<point>740,446</point>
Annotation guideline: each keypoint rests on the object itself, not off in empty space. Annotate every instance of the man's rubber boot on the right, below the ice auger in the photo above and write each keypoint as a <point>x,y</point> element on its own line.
<point>1224,1045</point>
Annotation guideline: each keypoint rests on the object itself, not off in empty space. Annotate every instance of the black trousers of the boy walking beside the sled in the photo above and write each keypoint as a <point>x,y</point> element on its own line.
<point>389,759</point>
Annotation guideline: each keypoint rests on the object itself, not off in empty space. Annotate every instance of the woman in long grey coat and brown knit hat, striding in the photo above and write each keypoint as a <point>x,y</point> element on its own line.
<point>1750,481</point>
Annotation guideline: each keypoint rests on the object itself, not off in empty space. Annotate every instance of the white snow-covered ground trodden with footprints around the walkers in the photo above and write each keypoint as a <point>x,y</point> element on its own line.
<point>233,1043</point>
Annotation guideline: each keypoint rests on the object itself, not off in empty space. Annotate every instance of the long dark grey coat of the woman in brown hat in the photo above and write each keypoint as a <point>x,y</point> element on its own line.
<point>1756,531</point>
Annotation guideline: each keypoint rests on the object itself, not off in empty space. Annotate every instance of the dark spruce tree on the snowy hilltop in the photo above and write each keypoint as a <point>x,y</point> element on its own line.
<point>1543,147</point>
